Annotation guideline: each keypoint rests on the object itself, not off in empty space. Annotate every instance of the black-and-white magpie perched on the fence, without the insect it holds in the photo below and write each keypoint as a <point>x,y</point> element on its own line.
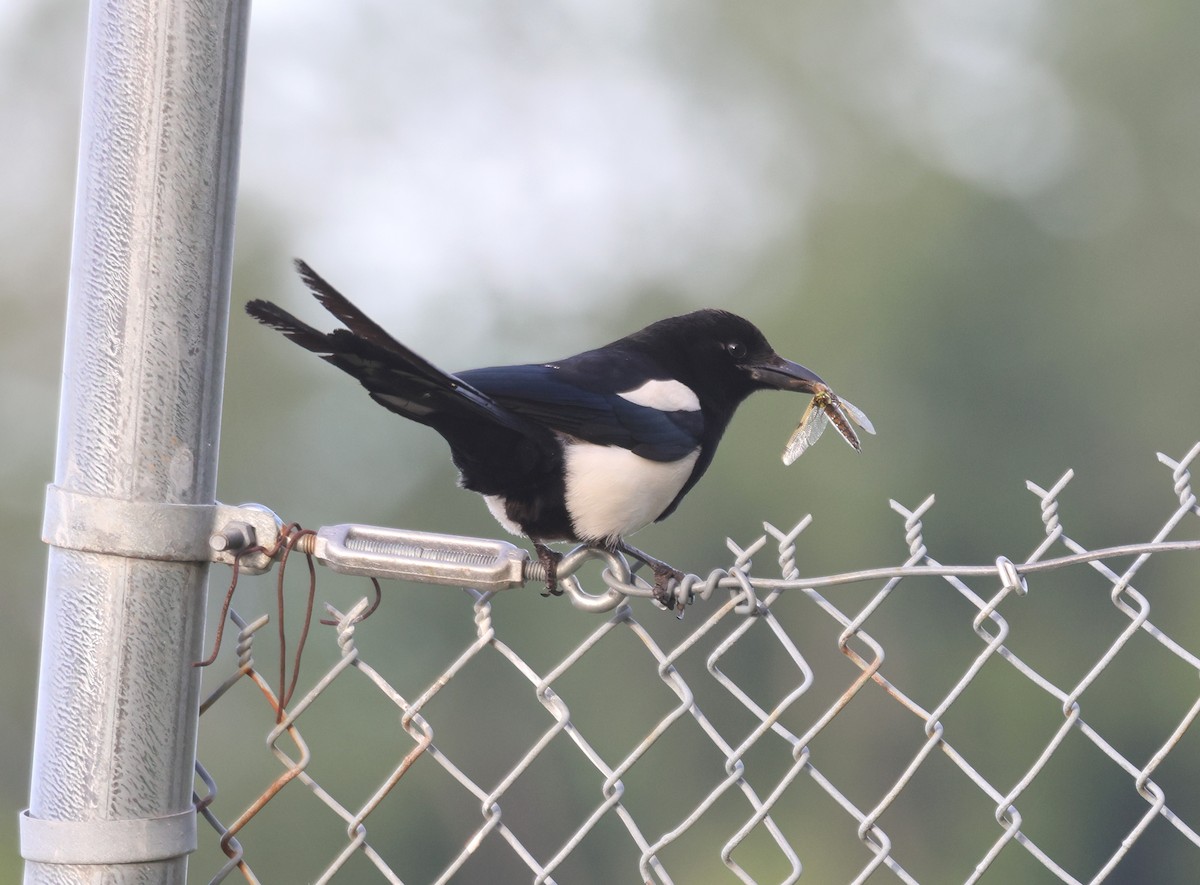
<point>587,449</point>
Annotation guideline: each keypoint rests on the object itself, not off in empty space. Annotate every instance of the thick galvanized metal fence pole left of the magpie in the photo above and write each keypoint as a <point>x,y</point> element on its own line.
<point>136,474</point>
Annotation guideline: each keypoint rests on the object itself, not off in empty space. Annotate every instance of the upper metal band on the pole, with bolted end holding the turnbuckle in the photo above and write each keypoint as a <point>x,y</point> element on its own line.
<point>179,533</point>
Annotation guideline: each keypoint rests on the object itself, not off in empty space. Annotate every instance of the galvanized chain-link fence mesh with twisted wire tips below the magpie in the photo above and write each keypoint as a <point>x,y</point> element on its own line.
<point>1035,731</point>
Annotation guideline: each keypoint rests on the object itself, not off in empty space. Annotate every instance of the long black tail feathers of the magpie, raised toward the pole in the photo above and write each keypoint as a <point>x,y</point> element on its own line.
<point>397,377</point>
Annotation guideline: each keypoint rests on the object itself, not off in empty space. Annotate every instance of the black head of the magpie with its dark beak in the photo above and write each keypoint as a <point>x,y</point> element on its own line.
<point>722,357</point>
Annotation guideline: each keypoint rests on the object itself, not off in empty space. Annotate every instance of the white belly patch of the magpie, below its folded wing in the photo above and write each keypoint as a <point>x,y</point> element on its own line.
<point>611,492</point>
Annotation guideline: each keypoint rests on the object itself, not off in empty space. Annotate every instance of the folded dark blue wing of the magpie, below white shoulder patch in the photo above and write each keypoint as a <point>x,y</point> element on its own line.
<point>583,410</point>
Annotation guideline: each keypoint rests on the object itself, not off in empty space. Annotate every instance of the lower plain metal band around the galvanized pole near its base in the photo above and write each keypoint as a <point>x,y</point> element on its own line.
<point>98,841</point>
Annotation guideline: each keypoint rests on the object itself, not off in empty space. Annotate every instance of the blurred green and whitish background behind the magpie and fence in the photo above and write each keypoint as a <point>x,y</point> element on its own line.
<point>981,222</point>
